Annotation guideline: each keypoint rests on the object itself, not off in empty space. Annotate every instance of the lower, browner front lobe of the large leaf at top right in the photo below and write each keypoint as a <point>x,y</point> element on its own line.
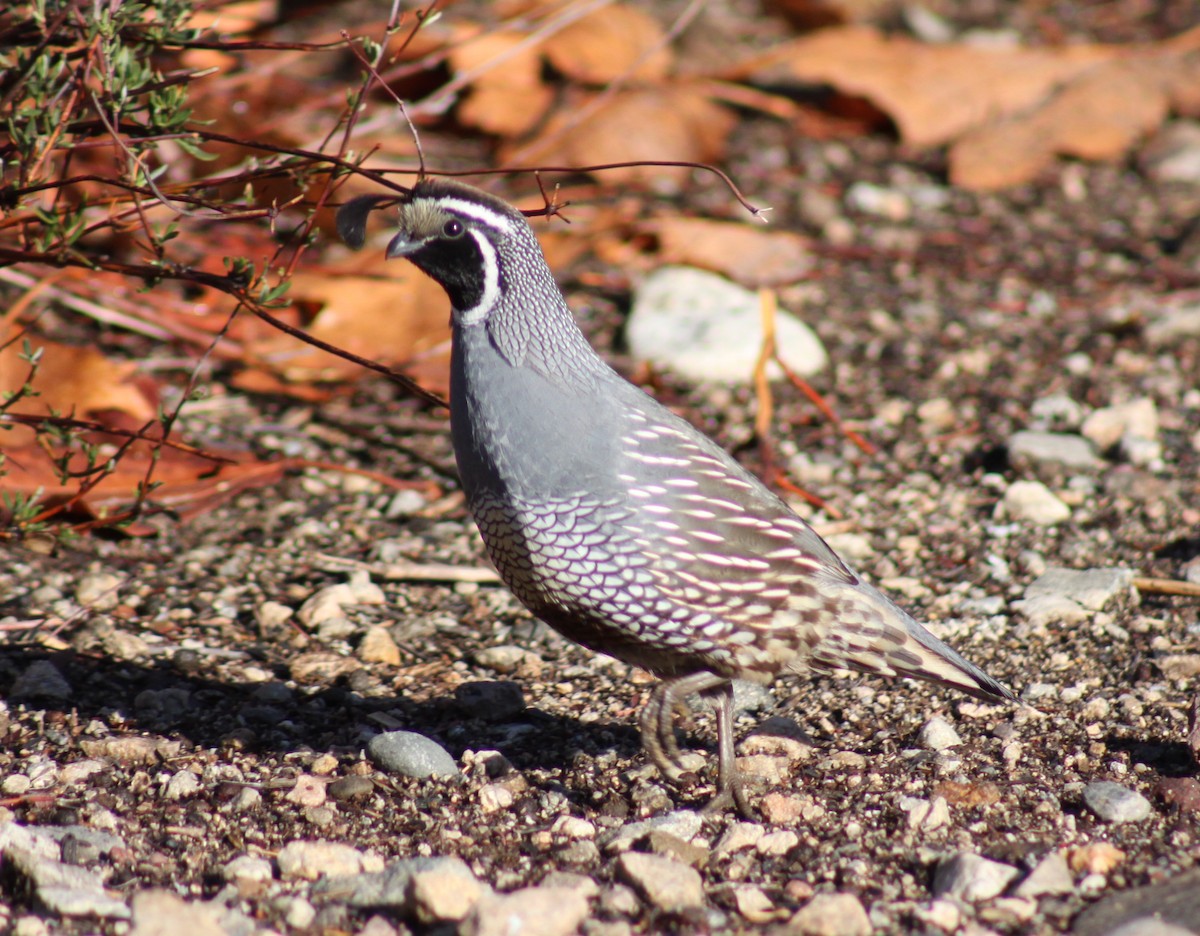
<point>1099,117</point>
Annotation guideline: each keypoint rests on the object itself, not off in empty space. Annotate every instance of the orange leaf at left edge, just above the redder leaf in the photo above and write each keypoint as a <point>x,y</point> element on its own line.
<point>73,381</point>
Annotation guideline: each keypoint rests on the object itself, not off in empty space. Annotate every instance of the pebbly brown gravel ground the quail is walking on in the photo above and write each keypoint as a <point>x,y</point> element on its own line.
<point>207,740</point>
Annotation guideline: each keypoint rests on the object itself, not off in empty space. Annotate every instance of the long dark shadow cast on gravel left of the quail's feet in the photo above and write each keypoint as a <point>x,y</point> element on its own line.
<point>171,700</point>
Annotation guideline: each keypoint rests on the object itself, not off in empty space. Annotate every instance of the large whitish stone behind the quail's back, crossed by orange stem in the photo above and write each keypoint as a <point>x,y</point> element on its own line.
<point>706,328</point>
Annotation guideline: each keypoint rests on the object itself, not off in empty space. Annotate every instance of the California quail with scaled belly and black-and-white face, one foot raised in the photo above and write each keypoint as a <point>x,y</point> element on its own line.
<point>617,523</point>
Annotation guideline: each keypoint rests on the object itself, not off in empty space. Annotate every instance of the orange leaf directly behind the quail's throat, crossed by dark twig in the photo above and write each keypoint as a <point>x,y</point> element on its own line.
<point>388,320</point>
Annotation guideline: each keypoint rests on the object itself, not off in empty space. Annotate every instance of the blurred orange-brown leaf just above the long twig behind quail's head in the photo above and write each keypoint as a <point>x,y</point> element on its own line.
<point>676,123</point>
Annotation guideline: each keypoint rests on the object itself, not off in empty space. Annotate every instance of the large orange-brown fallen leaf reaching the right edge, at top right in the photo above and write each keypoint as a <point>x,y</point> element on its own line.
<point>1010,111</point>
